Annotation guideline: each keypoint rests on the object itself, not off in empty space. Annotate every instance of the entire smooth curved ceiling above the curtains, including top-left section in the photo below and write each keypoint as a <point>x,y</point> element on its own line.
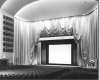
<point>34,10</point>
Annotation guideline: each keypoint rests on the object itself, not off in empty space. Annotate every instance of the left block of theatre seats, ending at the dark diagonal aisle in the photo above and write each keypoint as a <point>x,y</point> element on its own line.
<point>35,72</point>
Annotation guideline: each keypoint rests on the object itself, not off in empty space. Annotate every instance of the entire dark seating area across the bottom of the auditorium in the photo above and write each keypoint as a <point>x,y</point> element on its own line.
<point>48,72</point>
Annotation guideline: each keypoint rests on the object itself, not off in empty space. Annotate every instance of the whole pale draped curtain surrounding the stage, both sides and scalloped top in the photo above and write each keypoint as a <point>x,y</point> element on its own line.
<point>83,28</point>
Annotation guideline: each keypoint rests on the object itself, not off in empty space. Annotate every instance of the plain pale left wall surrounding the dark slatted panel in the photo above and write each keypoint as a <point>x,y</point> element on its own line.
<point>6,55</point>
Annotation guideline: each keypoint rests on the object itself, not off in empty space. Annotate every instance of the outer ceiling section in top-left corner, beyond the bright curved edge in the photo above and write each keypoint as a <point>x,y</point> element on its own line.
<point>13,6</point>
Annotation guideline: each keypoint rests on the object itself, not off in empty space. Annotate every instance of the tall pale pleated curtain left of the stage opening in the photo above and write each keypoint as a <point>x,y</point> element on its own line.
<point>25,43</point>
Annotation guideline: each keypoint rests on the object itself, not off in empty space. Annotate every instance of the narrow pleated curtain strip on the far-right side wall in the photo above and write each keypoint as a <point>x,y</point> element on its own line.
<point>94,38</point>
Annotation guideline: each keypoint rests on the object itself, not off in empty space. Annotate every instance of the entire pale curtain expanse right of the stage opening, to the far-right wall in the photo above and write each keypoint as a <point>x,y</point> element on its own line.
<point>86,33</point>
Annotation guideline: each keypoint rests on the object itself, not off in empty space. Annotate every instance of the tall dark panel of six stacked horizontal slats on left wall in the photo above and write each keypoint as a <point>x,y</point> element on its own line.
<point>8,34</point>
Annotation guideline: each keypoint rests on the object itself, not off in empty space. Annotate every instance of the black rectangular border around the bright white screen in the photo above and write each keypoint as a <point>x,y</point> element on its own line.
<point>58,42</point>
